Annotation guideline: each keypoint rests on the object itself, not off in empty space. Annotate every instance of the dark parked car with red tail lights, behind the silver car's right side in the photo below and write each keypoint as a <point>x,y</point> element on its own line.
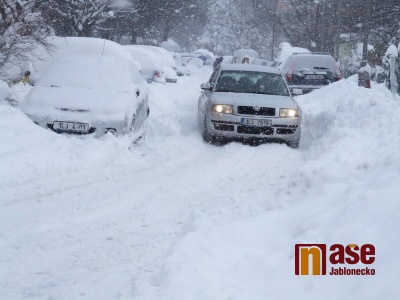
<point>310,71</point>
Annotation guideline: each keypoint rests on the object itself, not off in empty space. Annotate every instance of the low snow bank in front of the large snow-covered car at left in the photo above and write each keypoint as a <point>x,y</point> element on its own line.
<point>29,152</point>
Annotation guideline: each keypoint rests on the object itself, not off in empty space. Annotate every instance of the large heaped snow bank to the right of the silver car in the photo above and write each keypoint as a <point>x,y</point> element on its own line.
<point>346,191</point>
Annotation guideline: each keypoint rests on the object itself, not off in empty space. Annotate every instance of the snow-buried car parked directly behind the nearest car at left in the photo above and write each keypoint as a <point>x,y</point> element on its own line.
<point>156,63</point>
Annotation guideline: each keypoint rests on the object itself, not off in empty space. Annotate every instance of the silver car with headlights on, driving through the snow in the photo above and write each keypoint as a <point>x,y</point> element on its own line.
<point>248,102</point>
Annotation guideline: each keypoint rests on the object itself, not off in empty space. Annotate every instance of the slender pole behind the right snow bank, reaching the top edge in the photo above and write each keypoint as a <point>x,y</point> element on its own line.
<point>363,74</point>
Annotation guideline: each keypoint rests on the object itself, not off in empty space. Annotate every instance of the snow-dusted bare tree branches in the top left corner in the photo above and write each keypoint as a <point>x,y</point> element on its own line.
<point>22,29</point>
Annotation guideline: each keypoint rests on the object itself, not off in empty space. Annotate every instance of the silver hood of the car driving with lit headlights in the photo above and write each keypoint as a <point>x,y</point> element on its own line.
<point>237,99</point>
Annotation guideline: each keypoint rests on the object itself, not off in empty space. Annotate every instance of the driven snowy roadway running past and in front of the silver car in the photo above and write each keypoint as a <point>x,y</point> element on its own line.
<point>103,233</point>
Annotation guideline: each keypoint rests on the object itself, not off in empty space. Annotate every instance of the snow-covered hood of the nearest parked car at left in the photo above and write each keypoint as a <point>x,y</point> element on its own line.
<point>79,103</point>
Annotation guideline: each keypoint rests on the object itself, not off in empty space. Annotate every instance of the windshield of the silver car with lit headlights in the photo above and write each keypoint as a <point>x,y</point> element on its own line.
<point>251,82</point>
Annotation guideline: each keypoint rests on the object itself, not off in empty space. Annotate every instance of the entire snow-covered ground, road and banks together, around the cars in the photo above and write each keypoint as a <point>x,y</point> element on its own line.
<point>175,218</point>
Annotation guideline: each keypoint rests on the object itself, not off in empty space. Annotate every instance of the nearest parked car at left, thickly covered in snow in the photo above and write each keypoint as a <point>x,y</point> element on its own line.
<point>90,95</point>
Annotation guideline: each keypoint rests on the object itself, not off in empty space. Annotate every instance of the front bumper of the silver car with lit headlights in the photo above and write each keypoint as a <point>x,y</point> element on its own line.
<point>230,126</point>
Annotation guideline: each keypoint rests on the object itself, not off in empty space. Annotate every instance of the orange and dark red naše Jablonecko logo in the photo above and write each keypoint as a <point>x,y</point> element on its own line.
<point>311,259</point>
